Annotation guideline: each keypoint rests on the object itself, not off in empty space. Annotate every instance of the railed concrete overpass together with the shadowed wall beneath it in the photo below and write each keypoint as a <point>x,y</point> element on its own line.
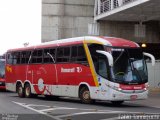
<point>140,19</point>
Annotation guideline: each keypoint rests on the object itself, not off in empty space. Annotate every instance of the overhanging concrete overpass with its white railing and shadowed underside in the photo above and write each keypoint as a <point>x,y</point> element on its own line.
<point>127,10</point>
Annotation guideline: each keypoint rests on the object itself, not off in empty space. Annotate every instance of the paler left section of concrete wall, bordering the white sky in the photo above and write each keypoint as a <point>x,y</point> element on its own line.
<point>52,12</point>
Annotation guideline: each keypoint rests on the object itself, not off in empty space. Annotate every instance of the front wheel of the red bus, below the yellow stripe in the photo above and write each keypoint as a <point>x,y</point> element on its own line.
<point>85,95</point>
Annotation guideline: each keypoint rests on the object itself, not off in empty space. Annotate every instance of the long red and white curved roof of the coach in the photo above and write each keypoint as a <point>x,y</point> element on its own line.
<point>108,41</point>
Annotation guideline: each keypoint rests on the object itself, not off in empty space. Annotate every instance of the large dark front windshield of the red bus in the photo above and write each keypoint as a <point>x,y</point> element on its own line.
<point>129,66</point>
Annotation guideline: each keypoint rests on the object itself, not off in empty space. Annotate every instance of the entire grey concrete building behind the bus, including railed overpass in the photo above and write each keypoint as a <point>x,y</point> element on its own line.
<point>136,20</point>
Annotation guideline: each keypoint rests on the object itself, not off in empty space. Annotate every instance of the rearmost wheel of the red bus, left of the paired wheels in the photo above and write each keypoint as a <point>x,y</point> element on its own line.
<point>19,89</point>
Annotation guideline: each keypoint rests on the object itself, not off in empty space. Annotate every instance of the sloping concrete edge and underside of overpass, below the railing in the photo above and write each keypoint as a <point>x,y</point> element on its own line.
<point>143,12</point>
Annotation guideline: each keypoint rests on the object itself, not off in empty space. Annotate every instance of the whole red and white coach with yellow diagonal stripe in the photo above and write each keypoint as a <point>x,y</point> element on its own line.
<point>89,68</point>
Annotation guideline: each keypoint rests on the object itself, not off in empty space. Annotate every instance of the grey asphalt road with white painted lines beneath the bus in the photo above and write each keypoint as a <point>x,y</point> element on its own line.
<point>40,108</point>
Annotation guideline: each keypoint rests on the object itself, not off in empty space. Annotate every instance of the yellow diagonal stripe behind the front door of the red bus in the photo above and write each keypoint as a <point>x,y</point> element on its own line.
<point>91,64</point>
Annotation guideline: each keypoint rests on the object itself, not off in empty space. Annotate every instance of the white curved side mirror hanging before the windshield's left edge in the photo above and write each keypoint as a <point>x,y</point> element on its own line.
<point>108,55</point>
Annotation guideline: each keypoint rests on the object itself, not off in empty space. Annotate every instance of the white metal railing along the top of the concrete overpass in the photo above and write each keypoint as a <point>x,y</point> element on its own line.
<point>103,6</point>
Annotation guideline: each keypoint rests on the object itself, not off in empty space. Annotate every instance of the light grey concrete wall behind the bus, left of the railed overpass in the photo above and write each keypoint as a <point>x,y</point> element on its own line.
<point>66,18</point>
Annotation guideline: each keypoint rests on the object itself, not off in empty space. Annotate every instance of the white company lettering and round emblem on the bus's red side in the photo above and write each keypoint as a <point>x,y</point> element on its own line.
<point>71,70</point>
